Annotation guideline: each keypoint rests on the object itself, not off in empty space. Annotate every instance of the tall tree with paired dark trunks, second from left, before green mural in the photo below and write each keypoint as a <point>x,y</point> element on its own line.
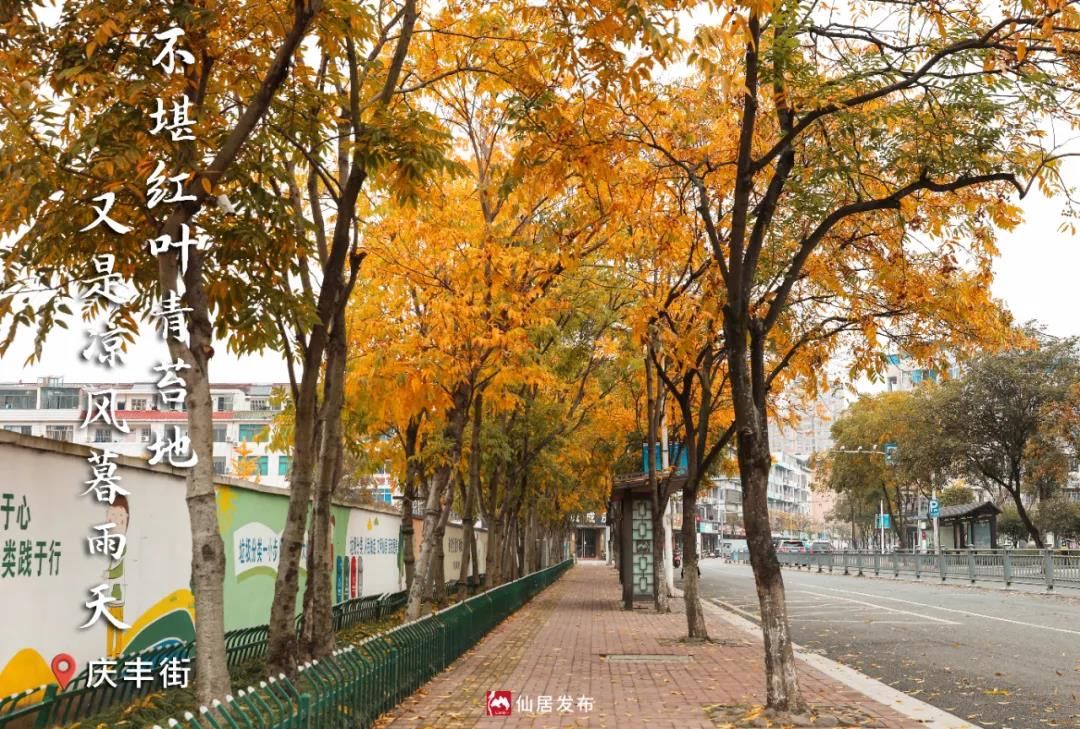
<point>348,130</point>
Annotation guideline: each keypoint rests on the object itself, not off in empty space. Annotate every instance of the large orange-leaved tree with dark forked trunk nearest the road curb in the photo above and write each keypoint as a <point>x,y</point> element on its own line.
<point>843,152</point>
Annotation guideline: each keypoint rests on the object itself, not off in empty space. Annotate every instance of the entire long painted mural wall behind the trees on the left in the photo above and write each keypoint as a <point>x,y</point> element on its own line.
<point>47,572</point>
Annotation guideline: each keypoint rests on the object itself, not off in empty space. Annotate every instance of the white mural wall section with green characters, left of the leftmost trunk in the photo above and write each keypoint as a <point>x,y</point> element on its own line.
<point>45,599</point>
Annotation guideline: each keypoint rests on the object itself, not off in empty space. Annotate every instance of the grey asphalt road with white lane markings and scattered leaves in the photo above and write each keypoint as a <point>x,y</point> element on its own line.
<point>997,658</point>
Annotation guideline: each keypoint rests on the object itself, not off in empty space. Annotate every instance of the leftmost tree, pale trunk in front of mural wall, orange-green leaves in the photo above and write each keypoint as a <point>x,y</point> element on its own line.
<point>76,101</point>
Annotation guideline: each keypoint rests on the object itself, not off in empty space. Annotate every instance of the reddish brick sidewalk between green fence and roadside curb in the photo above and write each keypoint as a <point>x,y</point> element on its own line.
<point>556,646</point>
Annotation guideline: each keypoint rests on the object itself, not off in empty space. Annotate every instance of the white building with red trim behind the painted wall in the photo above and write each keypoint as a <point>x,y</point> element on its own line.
<point>53,409</point>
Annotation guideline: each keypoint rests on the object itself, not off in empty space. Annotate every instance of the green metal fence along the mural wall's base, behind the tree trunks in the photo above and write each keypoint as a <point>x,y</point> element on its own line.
<point>79,700</point>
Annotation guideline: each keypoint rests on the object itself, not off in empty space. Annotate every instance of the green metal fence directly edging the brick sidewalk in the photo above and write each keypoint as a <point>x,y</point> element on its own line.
<point>352,688</point>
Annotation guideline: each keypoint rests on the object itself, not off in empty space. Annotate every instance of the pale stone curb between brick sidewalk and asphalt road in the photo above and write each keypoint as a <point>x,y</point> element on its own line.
<point>902,704</point>
